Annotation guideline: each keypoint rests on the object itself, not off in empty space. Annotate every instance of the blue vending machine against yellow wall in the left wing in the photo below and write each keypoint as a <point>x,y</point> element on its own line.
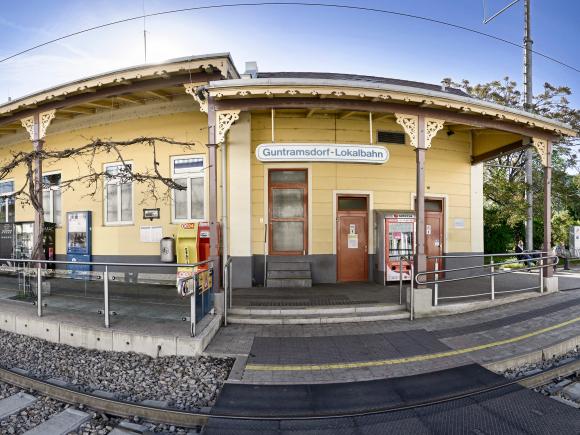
<point>79,242</point>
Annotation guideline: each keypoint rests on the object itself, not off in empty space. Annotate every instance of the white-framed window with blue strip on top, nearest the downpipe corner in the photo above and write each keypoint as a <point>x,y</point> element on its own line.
<point>189,203</point>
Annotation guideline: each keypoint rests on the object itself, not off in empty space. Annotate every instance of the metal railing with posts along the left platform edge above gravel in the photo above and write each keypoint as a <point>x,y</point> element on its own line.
<point>37,264</point>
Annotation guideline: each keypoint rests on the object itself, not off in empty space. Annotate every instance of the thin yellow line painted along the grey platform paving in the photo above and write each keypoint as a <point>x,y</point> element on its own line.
<point>384,362</point>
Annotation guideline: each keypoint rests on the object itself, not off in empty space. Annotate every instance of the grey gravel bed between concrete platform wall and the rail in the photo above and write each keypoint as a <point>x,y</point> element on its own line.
<point>182,382</point>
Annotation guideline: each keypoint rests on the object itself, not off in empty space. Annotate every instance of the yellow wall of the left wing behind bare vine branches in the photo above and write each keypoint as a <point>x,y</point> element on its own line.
<point>118,239</point>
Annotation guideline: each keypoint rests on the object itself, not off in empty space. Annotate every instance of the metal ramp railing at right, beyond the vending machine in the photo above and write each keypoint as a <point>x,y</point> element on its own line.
<point>542,259</point>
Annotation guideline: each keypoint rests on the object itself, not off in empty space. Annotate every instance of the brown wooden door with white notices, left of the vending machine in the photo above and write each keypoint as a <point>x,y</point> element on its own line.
<point>352,239</point>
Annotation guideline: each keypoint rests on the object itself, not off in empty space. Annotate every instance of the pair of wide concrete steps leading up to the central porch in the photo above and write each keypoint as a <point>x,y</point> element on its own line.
<point>316,315</point>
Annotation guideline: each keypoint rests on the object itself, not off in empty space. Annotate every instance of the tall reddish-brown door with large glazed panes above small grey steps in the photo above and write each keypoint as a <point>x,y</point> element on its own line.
<point>288,212</point>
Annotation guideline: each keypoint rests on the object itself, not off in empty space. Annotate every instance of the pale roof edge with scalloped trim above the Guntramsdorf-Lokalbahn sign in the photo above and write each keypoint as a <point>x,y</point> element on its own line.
<point>379,92</point>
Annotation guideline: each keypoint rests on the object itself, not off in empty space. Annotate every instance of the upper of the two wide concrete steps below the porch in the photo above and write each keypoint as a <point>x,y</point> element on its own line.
<point>313,311</point>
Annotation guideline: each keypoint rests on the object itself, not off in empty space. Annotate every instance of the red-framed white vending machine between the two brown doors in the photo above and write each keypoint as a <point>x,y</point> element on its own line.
<point>395,236</point>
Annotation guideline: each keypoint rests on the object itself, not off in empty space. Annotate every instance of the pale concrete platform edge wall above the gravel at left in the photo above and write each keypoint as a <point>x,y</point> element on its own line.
<point>112,339</point>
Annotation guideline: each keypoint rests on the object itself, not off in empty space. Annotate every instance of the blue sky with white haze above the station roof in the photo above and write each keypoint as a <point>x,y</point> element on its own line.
<point>289,38</point>
